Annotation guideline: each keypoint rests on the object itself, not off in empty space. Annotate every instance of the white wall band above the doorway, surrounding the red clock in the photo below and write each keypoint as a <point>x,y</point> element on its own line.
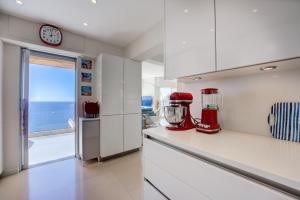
<point>17,29</point>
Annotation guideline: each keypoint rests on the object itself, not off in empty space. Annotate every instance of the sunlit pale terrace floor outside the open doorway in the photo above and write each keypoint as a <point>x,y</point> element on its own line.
<point>53,147</point>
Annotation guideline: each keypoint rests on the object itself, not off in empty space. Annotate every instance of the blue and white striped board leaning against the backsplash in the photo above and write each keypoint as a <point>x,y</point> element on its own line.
<point>284,119</point>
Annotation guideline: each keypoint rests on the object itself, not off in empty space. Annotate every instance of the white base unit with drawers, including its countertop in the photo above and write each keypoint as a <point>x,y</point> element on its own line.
<point>227,165</point>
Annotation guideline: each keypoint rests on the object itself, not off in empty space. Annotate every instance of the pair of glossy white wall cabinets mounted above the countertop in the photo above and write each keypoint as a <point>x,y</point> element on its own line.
<point>206,36</point>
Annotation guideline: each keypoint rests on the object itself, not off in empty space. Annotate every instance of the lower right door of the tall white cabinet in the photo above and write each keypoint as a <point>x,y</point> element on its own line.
<point>132,131</point>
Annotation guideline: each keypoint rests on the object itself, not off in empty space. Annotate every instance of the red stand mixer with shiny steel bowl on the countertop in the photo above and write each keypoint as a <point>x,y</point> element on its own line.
<point>178,112</point>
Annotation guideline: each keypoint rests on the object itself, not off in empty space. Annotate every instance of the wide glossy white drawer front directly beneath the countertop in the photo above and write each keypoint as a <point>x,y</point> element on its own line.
<point>181,175</point>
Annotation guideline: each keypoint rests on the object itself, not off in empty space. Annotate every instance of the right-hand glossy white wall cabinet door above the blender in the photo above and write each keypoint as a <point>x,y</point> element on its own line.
<point>256,31</point>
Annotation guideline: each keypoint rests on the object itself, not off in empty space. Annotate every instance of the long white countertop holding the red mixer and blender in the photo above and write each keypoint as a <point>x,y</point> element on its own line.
<point>264,156</point>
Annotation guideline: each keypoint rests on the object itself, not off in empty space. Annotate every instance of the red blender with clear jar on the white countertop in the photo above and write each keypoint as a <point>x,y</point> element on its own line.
<point>209,116</point>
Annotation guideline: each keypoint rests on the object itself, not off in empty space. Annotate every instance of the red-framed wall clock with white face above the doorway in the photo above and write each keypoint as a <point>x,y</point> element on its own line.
<point>50,35</point>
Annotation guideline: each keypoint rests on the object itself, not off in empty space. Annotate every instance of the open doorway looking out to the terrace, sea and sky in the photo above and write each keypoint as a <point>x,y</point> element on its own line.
<point>49,93</point>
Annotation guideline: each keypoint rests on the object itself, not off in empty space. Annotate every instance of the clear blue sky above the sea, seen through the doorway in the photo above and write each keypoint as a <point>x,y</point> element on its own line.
<point>51,83</point>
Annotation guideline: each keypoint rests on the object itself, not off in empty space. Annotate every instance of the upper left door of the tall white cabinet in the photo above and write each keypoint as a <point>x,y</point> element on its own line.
<point>112,85</point>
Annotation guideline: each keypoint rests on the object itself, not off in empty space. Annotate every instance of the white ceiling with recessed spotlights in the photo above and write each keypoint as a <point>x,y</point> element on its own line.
<point>116,22</point>
